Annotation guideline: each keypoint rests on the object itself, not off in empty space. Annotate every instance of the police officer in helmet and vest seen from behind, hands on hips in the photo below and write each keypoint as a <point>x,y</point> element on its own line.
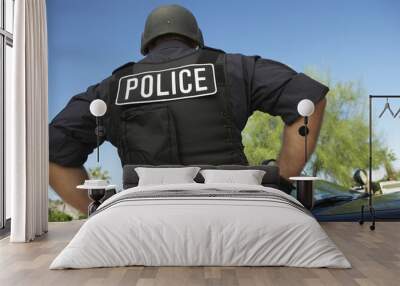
<point>184,103</point>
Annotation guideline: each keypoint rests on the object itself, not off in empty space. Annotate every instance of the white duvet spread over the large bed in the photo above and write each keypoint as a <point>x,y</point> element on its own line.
<point>190,230</point>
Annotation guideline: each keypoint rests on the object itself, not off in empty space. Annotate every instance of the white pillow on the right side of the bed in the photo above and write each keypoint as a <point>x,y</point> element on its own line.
<point>248,177</point>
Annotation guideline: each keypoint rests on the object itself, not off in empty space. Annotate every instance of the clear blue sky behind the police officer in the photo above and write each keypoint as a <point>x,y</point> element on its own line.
<point>352,40</point>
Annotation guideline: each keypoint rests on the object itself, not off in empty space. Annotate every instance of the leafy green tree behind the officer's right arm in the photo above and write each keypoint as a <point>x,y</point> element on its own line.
<point>343,141</point>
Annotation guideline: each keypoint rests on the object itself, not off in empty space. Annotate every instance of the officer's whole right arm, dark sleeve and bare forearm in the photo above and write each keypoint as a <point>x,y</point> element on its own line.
<point>277,89</point>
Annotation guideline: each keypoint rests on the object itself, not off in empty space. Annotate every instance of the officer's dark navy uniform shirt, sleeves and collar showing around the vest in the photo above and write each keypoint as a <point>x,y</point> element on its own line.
<point>256,84</point>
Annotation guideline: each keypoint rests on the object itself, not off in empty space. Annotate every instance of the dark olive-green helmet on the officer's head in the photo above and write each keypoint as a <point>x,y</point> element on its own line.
<point>170,19</point>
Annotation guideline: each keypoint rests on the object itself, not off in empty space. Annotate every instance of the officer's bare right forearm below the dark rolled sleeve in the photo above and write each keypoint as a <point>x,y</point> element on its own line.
<point>291,157</point>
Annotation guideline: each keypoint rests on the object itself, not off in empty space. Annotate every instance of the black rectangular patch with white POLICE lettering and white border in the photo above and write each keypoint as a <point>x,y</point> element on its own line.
<point>170,84</point>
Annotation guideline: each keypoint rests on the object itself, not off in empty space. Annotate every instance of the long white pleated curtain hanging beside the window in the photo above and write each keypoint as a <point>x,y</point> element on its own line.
<point>27,123</point>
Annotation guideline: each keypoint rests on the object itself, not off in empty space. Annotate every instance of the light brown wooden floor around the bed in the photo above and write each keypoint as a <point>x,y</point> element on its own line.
<point>375,257</point>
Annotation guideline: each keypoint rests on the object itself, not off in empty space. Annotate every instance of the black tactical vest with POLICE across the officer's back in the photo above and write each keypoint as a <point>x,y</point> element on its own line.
<point>174,112</point>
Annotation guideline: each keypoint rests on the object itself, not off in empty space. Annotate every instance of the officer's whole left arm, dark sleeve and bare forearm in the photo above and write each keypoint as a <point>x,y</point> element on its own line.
<point>71,140</point>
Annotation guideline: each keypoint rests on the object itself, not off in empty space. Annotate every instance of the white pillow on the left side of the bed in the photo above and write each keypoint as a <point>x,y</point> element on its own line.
<point>163,176</point>
